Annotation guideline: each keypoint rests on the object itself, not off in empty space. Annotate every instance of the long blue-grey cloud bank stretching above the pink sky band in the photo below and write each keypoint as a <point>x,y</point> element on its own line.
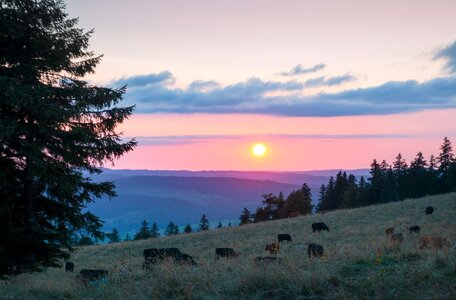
<point>255,96</point>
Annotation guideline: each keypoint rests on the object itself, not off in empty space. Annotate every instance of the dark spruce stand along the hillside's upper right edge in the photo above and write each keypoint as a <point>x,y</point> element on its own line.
<point>392,182</point>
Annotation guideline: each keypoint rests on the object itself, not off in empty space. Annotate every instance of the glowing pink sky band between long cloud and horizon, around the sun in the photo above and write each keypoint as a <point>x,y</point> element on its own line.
<point>224,142</point>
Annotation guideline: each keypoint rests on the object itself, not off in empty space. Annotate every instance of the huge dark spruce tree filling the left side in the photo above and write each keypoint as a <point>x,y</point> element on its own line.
<point>55,130</point>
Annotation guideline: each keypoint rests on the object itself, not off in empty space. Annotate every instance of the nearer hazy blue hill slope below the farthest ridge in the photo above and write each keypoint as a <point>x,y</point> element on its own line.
<point>181,200</point>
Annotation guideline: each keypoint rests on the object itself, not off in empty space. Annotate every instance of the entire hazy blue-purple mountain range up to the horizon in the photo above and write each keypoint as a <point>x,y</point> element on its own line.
<point>183,196</point>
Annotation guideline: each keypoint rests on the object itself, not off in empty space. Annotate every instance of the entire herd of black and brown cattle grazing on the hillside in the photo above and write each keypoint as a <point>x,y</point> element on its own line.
<point>154,256</point>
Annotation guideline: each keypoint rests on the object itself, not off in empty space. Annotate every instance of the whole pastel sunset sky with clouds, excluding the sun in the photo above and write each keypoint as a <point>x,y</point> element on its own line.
<point>322,84</point>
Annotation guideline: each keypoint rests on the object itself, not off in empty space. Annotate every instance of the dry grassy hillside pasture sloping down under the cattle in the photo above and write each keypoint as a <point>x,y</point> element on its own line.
<point>350,267</point>
